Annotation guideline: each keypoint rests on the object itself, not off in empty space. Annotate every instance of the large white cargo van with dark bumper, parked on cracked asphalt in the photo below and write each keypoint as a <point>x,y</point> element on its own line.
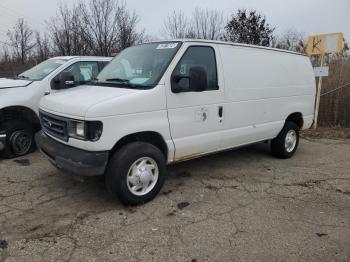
<point>164,102</point>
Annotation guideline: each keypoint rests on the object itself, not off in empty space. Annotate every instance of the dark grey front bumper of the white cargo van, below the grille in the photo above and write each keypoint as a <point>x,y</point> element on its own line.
<point>72,160</point>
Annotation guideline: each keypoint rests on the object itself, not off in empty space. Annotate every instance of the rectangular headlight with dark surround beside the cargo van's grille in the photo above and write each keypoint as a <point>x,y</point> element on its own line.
<point>85,130</point>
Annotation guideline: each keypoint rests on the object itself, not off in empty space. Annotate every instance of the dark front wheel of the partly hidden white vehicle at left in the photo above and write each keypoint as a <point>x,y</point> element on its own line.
<point>19,138</point>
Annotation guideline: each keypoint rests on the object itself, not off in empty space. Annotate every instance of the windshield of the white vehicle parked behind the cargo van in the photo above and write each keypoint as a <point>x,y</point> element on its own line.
<point>41,70</point>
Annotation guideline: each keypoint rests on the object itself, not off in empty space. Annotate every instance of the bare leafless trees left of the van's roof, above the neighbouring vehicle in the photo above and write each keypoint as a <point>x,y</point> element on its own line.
<point>97,27</point>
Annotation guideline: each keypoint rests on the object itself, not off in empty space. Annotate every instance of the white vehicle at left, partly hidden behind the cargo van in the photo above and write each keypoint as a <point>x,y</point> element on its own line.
<point>20,96</point>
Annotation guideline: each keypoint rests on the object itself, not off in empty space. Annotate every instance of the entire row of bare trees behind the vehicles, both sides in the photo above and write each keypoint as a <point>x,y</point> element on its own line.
<point>101,27</point>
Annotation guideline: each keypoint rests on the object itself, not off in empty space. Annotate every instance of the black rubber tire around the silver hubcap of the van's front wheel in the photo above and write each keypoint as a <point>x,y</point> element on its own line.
<point>120,164</point>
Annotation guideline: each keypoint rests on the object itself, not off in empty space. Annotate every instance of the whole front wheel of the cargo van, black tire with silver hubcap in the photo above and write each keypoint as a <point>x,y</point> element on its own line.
<point>136,173</point>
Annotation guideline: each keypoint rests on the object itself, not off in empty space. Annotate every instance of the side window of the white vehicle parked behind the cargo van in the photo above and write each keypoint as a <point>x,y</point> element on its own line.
<point>83,71</point>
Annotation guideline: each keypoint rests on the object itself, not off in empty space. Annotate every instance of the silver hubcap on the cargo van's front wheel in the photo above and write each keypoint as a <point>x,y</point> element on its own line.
<point>142,176</point>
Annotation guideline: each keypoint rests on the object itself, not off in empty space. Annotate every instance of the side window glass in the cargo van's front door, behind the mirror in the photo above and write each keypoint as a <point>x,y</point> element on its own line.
<point>198,56</point>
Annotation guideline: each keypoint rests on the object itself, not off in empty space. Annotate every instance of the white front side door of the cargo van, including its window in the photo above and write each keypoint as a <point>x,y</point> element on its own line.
<point>195,117</point>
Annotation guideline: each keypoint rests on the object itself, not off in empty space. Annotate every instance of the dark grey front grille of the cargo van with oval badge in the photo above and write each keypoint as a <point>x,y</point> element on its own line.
<point>54,125</point>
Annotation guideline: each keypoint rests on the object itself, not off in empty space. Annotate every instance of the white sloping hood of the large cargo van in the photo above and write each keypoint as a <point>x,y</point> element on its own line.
<point>77,101</point>
